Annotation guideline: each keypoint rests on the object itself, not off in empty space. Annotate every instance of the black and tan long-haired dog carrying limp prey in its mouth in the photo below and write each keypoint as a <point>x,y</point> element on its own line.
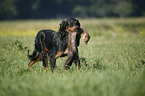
<point>50,44</point>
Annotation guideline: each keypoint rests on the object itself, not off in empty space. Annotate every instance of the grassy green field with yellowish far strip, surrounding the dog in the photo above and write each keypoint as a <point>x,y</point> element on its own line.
<point>113,62</point>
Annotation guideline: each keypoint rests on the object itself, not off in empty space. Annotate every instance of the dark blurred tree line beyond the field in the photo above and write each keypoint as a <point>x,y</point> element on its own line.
<point>38,9</point>
